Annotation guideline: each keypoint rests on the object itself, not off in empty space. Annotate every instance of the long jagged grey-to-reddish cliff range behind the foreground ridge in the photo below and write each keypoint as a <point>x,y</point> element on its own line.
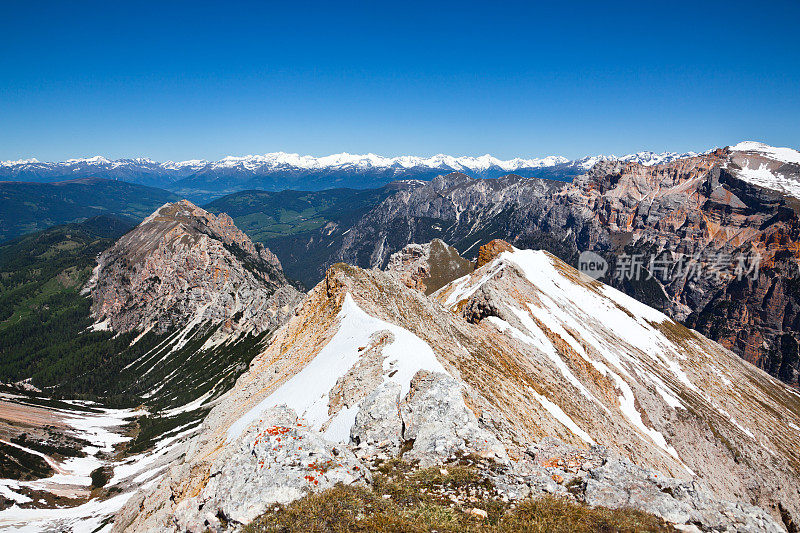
<point>703,206</point>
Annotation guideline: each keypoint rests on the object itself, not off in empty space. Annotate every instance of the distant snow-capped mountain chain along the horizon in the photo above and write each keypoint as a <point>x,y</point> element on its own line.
<point>280,170</point>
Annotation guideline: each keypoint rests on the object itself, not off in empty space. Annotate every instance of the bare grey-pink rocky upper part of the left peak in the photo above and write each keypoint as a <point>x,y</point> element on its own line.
<point>184,265</point>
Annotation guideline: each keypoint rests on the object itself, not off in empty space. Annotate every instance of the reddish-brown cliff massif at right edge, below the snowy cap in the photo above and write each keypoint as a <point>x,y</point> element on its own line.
<point>697,208</point>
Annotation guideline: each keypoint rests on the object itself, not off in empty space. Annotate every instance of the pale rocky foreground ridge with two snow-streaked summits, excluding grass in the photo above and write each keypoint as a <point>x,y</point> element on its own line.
<point>521,349</point>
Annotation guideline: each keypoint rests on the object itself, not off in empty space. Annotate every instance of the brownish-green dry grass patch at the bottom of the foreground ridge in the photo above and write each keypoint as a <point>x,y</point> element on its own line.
<point>404,500</point>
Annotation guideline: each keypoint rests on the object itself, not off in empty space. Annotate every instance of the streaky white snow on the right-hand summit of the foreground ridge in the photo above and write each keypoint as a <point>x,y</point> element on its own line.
<point>617,335</point>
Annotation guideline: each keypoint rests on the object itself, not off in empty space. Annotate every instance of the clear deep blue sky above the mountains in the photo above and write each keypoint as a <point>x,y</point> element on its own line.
<point>180,80</point>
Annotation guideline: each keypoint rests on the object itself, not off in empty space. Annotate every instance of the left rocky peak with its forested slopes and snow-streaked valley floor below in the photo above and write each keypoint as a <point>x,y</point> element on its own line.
<point>178,307</point>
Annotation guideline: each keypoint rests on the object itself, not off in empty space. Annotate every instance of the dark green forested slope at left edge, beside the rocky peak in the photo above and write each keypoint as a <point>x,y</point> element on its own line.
<point>42,311</point>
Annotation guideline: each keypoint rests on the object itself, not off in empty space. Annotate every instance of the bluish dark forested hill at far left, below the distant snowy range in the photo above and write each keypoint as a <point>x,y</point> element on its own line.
<point>28,207</point>
